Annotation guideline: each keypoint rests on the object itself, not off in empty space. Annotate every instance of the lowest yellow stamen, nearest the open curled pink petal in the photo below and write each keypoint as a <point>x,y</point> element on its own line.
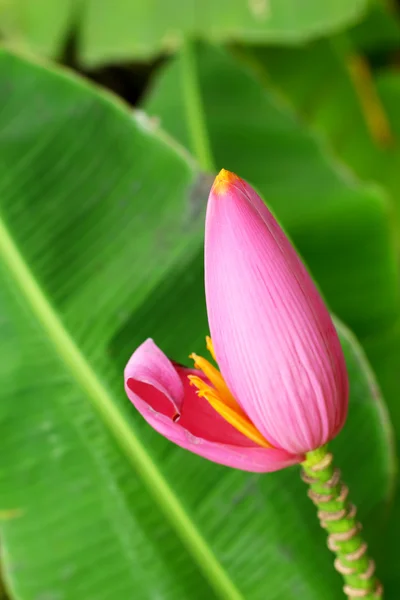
<point>235,417</point>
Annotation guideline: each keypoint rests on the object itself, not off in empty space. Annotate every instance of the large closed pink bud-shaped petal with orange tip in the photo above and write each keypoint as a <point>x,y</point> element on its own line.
<point>274,340</point>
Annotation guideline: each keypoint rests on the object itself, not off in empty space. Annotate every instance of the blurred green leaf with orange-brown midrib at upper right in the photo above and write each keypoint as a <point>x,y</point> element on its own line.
<point>317,81</point>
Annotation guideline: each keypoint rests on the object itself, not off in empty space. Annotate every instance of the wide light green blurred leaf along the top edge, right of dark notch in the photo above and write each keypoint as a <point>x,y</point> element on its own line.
<point>118,30</point>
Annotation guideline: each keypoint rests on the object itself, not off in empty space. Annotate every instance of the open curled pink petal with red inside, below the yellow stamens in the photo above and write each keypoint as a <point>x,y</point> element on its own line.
<point>159,389</point>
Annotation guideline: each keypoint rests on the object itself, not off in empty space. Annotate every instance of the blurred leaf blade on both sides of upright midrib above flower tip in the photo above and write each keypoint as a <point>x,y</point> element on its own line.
<point>342,228</point>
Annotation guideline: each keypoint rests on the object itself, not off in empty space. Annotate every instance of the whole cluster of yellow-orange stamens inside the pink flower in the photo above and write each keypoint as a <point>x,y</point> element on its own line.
<point>221,399</point>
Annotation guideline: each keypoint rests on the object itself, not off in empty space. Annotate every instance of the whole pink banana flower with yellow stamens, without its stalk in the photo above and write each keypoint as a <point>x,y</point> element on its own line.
<point>282,388</point>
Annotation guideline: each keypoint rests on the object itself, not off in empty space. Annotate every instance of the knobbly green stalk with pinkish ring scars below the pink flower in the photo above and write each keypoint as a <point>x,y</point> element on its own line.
<point>337,517</point>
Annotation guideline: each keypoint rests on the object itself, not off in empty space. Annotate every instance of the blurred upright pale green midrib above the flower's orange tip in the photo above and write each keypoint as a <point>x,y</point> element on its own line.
<point>194,108</point>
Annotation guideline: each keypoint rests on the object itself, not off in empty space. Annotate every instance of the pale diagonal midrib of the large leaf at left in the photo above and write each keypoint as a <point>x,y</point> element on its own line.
<point>102,400</point>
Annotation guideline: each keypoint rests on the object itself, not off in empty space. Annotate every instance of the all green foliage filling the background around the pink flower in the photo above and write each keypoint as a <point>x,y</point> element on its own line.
<point>102,196</point>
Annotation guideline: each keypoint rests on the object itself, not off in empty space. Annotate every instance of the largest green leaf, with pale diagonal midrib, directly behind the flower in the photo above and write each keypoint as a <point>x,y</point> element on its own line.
<point>101,246</point>
